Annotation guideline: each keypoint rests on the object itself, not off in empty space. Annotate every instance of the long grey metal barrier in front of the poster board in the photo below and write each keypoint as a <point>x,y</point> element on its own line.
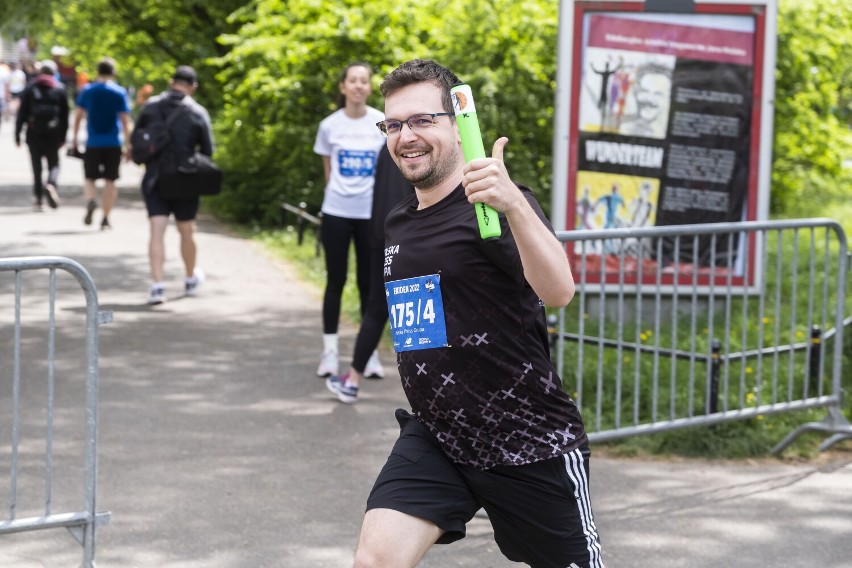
<point>700,324</point>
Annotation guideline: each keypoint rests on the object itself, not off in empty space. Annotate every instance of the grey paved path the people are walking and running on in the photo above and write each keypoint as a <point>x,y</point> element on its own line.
<point>220,448</point>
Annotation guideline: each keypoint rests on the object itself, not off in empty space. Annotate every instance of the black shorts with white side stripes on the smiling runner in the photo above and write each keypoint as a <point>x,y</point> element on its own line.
<point>541,512</point>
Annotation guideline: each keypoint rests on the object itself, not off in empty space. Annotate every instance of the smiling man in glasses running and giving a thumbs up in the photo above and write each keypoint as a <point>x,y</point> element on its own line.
<point>491,425</point>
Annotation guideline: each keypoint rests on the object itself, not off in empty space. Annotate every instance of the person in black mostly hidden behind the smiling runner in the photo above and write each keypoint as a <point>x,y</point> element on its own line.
<point>389,189</point>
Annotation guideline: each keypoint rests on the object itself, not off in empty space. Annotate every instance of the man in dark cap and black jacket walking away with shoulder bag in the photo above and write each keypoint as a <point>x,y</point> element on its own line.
<point>189,130</point>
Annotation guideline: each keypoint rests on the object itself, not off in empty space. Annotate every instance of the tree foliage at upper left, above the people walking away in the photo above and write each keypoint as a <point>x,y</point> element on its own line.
<point>147,38</point>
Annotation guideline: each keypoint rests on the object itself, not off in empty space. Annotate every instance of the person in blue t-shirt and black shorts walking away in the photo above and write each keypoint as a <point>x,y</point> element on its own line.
<point>105,106</point>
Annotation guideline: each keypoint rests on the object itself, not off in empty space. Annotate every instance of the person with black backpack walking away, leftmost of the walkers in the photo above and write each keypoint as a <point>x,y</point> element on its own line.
<point>44,110</point>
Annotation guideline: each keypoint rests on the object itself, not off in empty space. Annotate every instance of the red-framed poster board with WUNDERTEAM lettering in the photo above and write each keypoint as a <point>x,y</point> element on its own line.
<point>664,117</point>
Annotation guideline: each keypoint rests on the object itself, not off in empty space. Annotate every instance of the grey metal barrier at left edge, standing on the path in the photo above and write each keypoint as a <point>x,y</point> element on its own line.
<point>34,391</point>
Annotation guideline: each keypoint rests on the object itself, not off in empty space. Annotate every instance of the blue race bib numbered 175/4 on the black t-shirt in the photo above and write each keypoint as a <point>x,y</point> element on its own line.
<point>416,313</point>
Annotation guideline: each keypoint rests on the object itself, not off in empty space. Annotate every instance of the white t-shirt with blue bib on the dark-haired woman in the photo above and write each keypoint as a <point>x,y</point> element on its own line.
<point>353,146</point>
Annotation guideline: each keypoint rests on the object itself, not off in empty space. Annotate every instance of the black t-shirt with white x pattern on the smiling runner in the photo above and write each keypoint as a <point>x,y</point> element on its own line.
<point>493,396</point>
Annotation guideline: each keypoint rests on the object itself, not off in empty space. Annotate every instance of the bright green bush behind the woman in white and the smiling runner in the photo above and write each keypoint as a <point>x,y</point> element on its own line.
<point>283,70</point>
